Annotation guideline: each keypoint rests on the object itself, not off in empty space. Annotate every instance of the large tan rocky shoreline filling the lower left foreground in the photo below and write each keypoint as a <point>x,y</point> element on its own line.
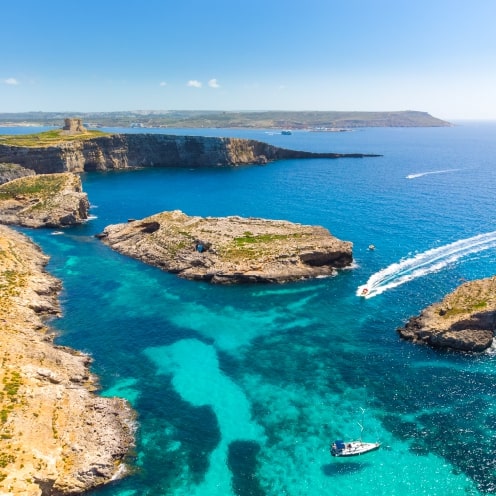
<point>56,435</point>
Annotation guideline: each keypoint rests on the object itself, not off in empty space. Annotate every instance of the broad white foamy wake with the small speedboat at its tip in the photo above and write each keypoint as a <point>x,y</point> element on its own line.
<point>428,262</point>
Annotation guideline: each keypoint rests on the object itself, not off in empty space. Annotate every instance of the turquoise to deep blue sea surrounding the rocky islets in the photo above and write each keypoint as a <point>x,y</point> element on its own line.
<point>240,390</point>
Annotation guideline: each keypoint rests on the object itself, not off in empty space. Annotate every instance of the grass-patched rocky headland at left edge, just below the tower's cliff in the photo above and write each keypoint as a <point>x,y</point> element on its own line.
<point>48,200</point>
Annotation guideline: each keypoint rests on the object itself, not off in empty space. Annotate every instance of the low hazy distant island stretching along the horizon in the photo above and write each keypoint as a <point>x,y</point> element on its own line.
<point>304,120</point>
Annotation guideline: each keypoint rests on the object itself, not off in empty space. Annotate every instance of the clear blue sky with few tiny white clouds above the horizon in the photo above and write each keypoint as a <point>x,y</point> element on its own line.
<point>436,56</point>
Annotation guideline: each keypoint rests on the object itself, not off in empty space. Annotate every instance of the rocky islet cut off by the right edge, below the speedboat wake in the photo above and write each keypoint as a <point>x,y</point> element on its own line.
<point>464,320</point>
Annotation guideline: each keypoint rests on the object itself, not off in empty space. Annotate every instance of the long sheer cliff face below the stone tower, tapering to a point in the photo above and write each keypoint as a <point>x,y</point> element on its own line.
<point>122,151</point>
